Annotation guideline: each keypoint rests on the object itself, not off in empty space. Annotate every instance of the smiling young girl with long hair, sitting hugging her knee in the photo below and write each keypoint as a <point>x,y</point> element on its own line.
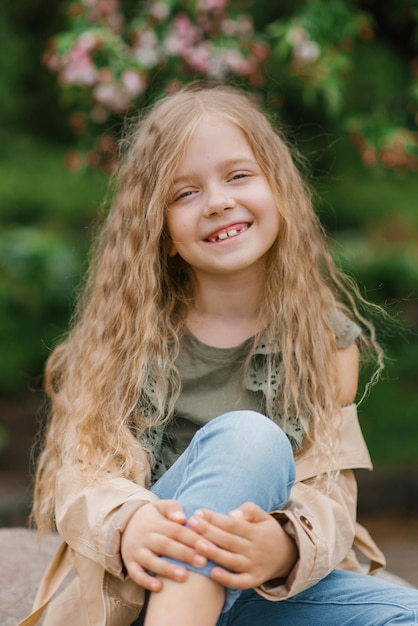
<point>198,461</point>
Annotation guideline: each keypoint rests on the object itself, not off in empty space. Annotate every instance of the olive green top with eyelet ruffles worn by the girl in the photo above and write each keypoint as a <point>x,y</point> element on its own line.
<point>215,381</point>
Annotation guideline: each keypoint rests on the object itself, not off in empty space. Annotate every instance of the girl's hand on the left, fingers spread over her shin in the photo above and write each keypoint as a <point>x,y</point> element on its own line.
<point>158,529</point>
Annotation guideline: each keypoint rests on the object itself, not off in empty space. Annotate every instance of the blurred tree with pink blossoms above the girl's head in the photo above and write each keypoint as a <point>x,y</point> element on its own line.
<point>351,63</point>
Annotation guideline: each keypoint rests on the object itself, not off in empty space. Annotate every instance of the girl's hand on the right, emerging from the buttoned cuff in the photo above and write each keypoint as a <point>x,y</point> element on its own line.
<point>248,541</point>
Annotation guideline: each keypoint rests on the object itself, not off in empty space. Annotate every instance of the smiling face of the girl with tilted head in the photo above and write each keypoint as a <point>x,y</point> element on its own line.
<point>222,217</point>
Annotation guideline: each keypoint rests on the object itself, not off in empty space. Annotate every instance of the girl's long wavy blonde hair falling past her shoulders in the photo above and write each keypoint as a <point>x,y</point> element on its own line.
<point>130,317</point>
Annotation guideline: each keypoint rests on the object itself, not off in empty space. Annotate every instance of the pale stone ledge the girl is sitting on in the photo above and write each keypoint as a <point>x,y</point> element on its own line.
<point>23,562</point>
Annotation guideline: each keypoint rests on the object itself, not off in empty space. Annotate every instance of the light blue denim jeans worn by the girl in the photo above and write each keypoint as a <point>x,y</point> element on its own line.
<point>243,456</point>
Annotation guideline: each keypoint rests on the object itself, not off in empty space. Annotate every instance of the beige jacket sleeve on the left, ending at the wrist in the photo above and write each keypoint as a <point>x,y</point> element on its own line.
<point>91,517</point>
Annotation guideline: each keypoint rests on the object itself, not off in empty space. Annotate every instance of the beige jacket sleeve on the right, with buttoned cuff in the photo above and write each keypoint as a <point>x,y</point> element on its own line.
<point>322,522</point>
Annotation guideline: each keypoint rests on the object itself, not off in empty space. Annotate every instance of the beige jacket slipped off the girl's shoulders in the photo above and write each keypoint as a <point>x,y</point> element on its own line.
<point>91,520</point>
